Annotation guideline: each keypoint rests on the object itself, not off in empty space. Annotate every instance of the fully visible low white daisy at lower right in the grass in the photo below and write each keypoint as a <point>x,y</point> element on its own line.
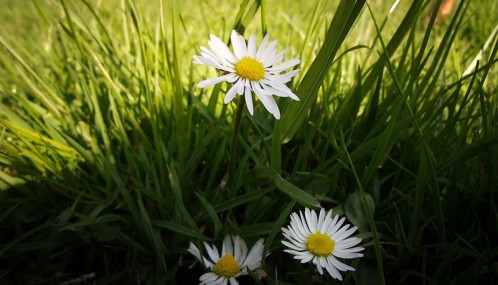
<point>321,240</point>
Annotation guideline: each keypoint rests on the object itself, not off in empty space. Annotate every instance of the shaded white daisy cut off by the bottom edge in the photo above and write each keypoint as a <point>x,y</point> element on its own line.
<point>233,262</point>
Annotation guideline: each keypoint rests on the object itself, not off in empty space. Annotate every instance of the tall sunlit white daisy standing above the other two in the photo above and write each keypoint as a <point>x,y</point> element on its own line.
<point>249,69</point>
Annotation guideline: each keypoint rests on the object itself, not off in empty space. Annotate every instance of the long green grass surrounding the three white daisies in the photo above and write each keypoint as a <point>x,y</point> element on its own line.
<point>112,160</point>
